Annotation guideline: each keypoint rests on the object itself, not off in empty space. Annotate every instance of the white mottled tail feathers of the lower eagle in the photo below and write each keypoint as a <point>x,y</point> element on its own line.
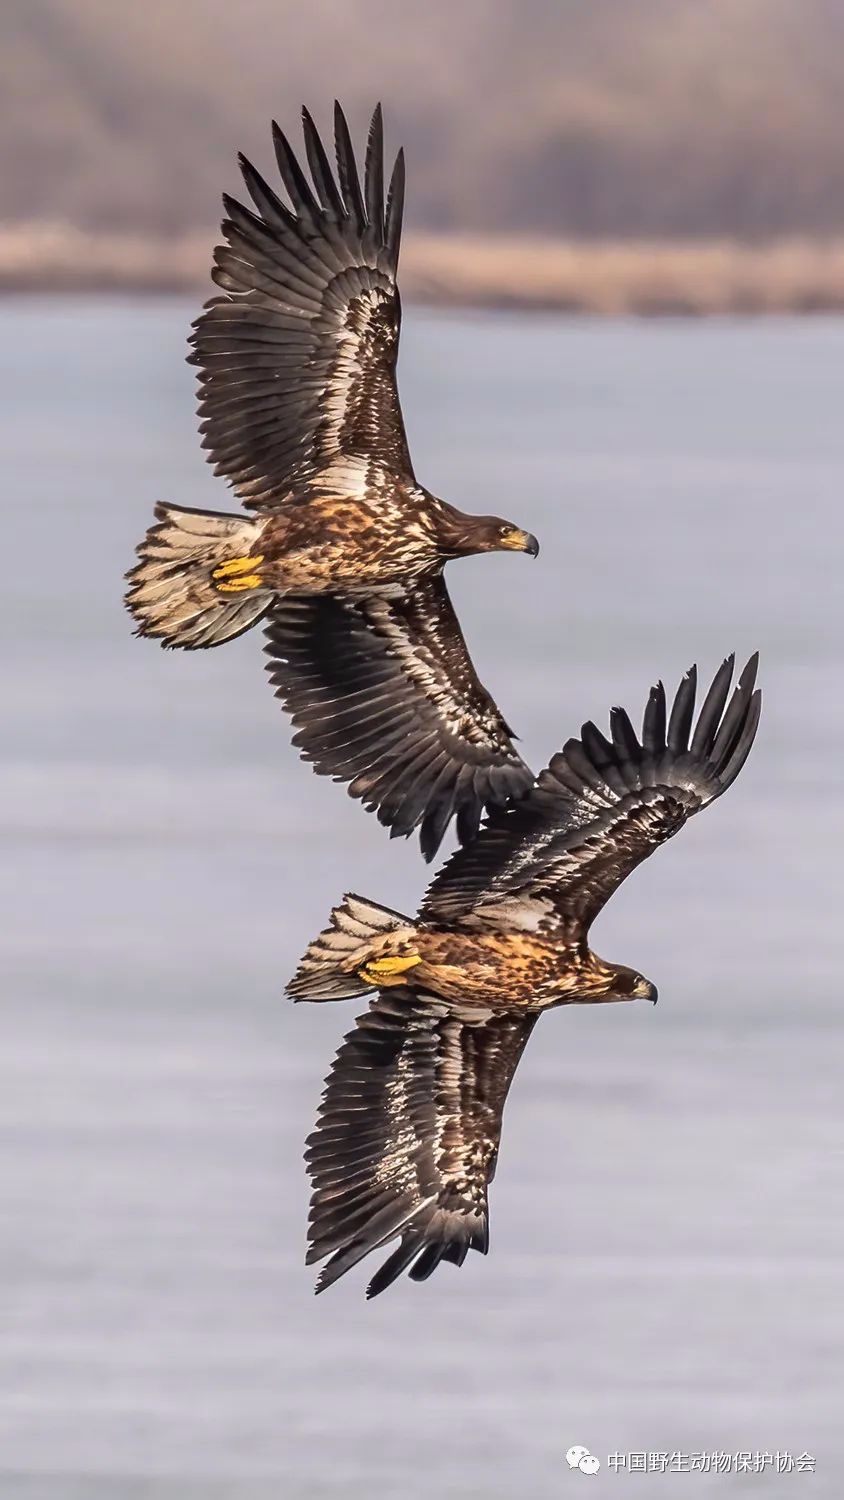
<point>331,967</point>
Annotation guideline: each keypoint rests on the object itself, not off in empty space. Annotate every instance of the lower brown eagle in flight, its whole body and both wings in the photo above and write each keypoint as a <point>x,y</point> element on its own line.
<point>410,1124</point>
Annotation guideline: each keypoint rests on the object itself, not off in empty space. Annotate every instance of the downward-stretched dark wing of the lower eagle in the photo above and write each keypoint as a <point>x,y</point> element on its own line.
<point>409,1133</point>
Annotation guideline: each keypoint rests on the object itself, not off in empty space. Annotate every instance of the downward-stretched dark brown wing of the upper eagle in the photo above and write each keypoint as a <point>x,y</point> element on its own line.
<point>385,697</point>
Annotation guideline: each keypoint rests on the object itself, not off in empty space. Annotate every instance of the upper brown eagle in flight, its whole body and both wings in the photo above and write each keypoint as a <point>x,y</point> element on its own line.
<point>344,551</point>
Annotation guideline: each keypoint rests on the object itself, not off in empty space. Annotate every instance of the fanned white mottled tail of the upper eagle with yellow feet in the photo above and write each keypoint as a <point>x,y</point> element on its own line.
<point>173,592</point>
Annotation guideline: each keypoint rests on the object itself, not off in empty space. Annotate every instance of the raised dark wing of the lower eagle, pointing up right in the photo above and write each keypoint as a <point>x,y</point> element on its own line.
<point>599,811</point>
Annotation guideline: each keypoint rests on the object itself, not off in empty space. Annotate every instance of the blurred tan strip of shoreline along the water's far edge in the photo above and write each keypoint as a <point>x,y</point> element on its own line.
<point>473,271</point>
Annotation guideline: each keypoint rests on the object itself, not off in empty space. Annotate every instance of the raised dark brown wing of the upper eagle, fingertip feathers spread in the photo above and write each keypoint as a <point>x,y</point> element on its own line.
<point>298,362</point>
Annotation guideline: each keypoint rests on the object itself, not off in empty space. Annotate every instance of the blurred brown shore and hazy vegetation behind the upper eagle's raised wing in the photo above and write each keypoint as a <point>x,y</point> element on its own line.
<point>600,158</point>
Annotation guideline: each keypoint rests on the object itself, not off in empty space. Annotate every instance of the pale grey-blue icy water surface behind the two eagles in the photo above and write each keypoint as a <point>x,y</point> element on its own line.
<point>668,1220</point>
